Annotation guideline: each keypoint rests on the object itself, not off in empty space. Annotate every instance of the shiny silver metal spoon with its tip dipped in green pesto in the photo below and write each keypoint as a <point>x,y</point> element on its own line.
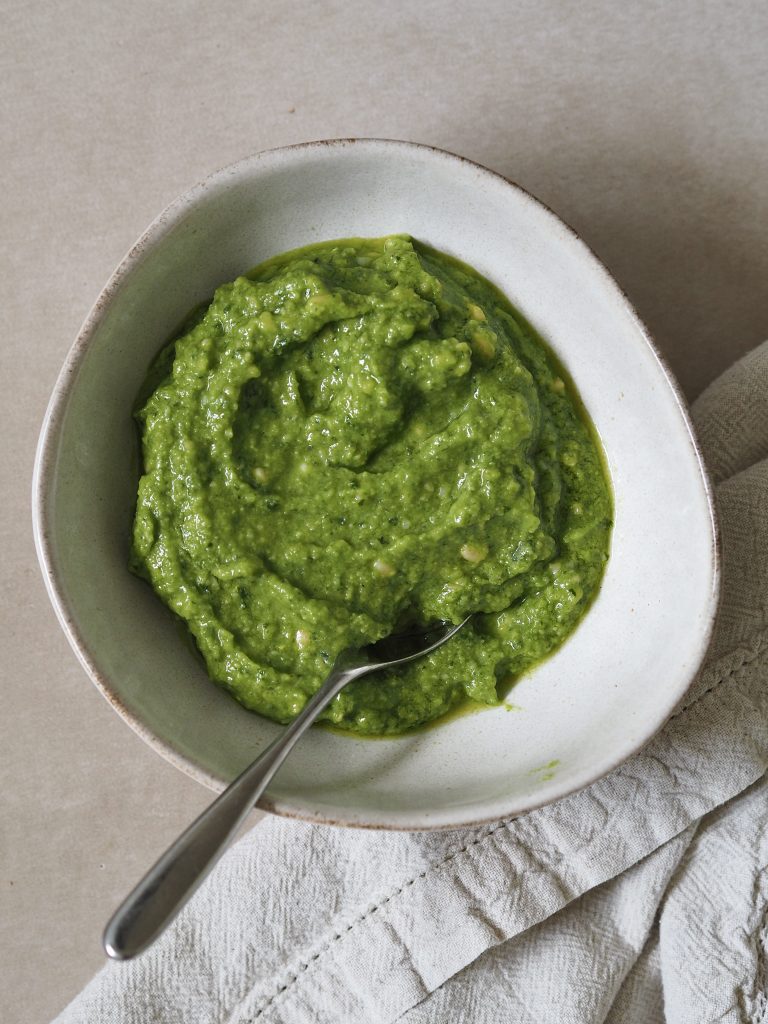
<point>167,886</point>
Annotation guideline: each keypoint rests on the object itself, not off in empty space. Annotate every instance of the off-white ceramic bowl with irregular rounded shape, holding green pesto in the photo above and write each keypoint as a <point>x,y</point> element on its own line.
<point>582,712</point>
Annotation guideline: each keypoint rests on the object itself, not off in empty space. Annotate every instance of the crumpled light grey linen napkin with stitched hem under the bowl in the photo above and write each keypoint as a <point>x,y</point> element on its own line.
<point>642,898</point>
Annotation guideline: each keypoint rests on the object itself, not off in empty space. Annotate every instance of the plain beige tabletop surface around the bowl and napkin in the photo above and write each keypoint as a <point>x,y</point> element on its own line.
<point>645,125</point>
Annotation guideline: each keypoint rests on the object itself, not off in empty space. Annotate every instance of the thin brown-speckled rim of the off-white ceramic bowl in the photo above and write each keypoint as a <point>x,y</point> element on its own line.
<point>47,463</point>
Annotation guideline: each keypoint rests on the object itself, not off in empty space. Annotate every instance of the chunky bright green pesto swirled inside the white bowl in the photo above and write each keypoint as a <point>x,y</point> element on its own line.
<point>358,436</point>
